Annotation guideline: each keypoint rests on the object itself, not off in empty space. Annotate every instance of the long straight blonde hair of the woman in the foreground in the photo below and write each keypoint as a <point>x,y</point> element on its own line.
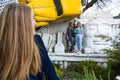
<point>19,55</point>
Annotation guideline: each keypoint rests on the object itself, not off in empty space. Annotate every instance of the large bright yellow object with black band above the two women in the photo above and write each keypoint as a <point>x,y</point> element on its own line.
<point>46,11</point>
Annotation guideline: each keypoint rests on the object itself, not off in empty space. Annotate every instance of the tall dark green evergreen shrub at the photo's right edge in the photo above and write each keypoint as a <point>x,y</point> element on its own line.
<point>114,57</point>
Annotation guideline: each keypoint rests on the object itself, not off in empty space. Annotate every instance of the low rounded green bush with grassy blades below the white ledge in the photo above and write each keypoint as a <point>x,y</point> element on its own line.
<point>85,69</point>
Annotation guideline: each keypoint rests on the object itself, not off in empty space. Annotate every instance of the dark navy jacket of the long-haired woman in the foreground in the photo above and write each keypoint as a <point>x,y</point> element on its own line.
<point>47,66</point>
